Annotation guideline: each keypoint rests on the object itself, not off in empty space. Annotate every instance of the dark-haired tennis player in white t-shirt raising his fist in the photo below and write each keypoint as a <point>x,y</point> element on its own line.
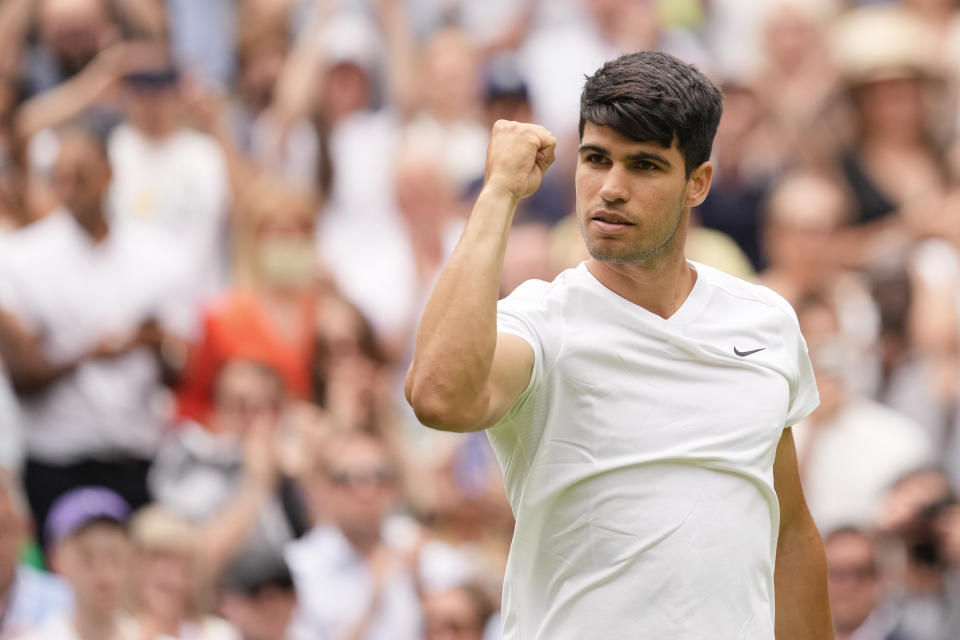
<point>639,404</point>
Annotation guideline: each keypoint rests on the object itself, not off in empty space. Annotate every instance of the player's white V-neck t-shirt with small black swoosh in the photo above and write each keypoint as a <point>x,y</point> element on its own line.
<point>639,460</point>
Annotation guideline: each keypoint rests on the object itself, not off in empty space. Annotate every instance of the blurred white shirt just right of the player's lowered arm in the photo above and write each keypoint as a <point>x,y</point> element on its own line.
<point>854,459</point>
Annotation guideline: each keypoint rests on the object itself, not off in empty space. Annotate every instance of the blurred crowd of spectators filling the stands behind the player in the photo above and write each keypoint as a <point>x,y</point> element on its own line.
<point>220,219</point>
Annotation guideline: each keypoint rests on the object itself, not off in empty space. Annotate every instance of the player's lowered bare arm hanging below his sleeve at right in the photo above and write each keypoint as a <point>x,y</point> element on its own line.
<point>800,577</point>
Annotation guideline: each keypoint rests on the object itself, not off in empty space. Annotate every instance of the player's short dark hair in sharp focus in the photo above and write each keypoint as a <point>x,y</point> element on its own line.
<point>653,96</point>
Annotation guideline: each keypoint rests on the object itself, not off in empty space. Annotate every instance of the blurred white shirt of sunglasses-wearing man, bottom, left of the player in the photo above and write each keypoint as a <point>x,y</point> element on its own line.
<point>334,583</point>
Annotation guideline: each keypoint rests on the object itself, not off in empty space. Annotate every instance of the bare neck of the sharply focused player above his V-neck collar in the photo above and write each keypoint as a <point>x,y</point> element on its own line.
<point>660,287</point>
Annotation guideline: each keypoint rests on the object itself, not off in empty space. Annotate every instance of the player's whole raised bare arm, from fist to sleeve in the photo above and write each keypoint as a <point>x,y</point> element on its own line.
<point>465,376</point>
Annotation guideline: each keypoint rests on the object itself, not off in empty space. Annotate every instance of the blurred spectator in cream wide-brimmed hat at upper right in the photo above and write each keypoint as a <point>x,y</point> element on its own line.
<point>895,160</point>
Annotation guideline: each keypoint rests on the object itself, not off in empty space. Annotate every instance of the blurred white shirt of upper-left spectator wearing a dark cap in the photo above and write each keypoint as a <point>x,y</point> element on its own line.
<point>179,186</point>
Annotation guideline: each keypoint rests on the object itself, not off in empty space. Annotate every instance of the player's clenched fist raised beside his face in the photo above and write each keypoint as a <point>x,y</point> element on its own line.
<point>518,156</point>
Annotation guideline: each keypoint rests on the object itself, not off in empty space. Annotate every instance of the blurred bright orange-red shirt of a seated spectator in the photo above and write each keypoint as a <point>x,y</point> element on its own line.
<point>238,327</point>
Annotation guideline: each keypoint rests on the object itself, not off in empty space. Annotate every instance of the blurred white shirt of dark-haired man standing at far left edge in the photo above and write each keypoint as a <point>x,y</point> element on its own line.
<point>73,293</point>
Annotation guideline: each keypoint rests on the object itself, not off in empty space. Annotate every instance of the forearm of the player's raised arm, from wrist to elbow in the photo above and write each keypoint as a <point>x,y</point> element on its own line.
<point>457,337</point>
